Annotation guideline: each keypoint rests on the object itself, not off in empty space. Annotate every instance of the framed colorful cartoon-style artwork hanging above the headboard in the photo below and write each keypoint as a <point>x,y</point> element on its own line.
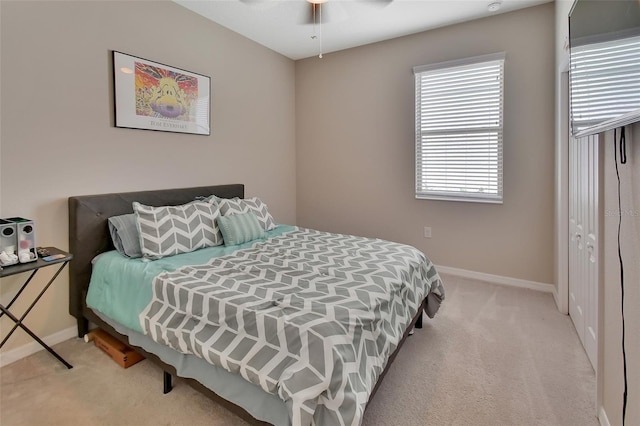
<point>154,96</point>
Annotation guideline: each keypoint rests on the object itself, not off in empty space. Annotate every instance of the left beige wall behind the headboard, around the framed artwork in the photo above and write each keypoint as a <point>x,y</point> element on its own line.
<point>57,133</point>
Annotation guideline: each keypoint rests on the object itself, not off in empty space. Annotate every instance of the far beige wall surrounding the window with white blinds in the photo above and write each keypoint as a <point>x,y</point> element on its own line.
<point>355,147</point>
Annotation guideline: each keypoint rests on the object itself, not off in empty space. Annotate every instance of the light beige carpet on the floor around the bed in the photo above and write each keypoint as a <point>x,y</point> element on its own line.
<point>493,355</point>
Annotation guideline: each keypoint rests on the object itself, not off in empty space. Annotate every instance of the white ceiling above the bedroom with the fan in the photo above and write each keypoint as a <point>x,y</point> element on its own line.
<point>286,26</point>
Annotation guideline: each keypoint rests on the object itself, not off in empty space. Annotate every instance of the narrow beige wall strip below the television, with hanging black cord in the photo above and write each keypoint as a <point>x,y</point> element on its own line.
<point>611,378</point>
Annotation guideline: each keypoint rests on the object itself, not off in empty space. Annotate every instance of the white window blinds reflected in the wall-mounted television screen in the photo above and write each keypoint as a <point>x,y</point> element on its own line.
<point>605,81</point>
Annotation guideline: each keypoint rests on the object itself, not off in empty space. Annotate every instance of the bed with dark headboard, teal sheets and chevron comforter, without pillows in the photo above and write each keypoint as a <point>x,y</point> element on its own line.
<point>294,327</point>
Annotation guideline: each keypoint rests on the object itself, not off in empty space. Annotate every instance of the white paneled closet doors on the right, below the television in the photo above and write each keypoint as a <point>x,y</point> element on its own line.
<point>584,220</point>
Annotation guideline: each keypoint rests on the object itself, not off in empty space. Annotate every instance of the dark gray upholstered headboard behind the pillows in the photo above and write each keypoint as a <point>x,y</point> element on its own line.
<point>89,232</point>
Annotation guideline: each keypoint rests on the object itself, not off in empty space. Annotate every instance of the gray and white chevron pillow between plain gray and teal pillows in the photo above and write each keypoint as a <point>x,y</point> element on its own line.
<point>170,230</point>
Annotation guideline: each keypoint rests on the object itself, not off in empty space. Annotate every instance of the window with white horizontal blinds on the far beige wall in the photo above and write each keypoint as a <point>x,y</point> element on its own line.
<point>459,129</point>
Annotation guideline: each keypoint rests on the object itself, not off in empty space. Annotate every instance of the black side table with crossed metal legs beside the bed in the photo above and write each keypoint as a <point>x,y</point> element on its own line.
<point>33,267</point>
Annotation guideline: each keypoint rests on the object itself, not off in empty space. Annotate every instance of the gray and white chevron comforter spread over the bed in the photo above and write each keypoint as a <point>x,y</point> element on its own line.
<point>309,316</point>
